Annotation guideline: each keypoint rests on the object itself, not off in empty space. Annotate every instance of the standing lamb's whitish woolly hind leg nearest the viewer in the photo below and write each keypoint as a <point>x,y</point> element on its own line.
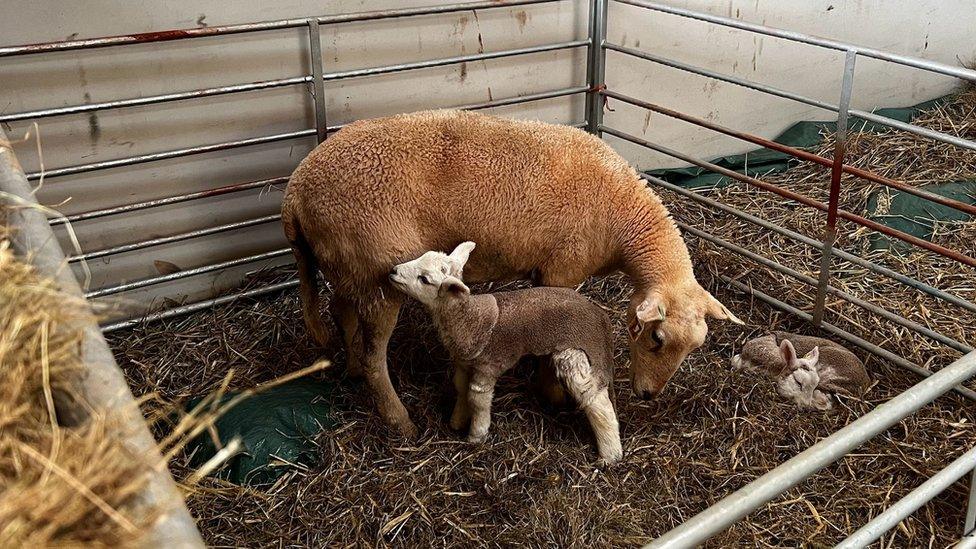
<point>573,368</point>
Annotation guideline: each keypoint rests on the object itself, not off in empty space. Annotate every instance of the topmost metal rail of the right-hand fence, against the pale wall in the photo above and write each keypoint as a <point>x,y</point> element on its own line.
<point>923,64</point>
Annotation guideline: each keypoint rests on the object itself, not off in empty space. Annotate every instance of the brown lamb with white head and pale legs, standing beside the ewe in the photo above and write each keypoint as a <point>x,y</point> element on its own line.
<point>487,334</point>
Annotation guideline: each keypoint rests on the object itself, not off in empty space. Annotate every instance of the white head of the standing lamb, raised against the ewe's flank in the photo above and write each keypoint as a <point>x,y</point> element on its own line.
<point>434,276</point>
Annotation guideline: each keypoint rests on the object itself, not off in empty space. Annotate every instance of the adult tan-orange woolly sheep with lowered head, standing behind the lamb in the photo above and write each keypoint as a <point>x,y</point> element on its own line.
<point>543,201</point>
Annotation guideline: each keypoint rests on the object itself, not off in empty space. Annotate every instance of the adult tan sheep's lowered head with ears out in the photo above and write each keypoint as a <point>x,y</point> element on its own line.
<point>665,325</point>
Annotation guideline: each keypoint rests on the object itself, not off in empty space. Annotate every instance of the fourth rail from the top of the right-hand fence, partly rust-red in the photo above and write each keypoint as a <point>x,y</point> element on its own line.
<point>802,199</point>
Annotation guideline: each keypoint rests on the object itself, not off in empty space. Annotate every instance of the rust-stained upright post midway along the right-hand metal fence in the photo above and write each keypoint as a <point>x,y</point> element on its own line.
<point>836,171</point>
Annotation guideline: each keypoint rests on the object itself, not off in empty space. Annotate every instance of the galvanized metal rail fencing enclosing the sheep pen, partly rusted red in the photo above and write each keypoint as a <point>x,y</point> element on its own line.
<point>718,517</point>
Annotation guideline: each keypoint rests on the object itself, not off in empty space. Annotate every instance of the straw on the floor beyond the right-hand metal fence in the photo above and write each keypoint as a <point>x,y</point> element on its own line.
<point>893,154</point>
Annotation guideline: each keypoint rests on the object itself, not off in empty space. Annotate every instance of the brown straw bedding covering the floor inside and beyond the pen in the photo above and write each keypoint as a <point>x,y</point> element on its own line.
<point>534,482</point>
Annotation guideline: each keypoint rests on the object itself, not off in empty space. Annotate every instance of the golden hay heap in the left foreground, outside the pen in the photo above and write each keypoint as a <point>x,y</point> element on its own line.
<point>59,486</point>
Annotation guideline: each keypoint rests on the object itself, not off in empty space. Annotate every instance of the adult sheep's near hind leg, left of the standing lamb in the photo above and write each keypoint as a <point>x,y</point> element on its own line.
<point>377,320</point>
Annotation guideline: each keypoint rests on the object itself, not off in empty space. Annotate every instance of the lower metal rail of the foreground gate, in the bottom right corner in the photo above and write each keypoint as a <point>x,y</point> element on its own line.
<point>907,505</point>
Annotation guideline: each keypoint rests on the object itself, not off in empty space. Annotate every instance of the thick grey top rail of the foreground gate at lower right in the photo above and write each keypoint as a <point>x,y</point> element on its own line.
<point>773,484</point>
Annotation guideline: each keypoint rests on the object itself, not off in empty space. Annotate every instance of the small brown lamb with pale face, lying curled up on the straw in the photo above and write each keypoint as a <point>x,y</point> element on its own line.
<point>826,367</point>
